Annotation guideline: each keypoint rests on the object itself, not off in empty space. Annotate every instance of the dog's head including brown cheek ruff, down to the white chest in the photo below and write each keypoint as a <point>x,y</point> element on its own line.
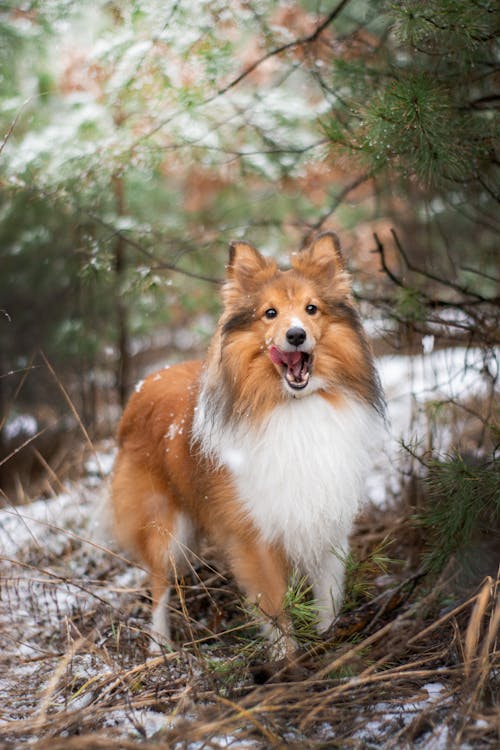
<point>288,334</point>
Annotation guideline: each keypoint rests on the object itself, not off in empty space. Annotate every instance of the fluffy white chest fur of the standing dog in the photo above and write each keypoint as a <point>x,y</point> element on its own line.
<point>299,476</point>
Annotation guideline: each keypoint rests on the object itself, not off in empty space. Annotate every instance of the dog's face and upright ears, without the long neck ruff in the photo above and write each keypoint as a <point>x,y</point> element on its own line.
<point>292,326</point>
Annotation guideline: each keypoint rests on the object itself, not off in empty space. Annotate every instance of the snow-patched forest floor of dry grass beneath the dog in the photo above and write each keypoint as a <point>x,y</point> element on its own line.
<point>413,660</point>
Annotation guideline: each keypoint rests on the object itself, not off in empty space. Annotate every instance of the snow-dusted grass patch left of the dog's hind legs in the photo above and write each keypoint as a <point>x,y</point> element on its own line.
<point>53,576</point>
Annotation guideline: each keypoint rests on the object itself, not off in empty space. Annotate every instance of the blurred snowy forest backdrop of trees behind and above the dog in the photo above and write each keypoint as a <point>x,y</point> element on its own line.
<point>141,137</point>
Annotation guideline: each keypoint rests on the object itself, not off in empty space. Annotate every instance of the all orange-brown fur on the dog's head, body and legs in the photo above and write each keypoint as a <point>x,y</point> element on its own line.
<point>161,474</point>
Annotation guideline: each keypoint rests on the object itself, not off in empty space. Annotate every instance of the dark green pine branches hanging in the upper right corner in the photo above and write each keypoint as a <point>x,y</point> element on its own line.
<point>414,102</point>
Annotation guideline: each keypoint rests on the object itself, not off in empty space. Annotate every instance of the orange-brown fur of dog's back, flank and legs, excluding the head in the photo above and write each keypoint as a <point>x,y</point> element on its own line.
<point>152,486</point>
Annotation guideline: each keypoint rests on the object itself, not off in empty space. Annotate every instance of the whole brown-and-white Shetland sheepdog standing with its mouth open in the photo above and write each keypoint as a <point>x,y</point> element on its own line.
<point>263,447</point>
